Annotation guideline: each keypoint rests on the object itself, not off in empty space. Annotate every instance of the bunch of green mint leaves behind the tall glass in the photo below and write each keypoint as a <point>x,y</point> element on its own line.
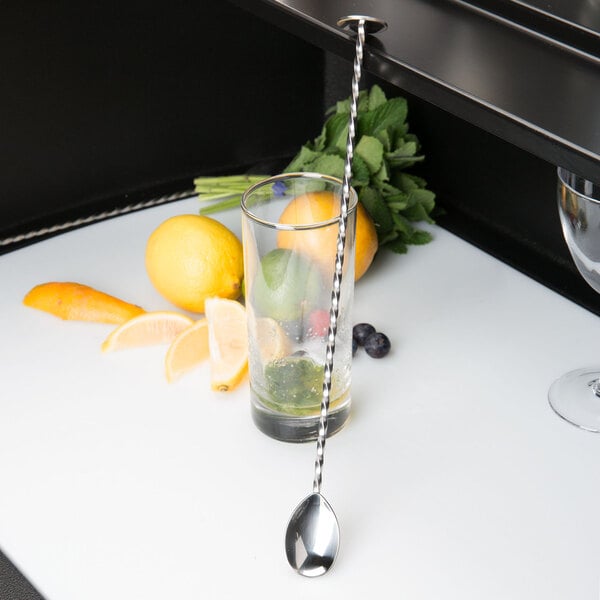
<point>383,150</point>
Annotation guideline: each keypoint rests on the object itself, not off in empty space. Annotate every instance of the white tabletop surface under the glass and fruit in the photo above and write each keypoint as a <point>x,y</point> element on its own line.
<point>453,480</point>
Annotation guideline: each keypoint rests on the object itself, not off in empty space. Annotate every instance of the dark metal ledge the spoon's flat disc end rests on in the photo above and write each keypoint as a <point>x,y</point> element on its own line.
<point>531,91</point>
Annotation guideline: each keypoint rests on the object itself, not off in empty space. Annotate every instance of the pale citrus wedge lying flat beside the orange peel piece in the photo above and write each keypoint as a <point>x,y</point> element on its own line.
<point>158,327</point>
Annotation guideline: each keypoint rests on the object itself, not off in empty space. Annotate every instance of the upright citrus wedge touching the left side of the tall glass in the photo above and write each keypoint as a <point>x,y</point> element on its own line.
<point>227,341</point>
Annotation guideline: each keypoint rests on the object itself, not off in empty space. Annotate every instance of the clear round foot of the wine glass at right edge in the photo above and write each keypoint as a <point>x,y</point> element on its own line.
<point>575,397</point>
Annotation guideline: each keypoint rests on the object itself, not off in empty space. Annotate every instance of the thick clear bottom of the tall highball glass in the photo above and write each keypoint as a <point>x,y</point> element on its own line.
<point>287,428</point>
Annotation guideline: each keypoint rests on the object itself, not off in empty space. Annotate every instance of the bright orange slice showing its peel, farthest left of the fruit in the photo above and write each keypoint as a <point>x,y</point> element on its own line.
<point>78,302</point>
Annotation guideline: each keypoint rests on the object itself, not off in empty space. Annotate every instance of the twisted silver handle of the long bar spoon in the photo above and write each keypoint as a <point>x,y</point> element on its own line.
<point>339,261</point>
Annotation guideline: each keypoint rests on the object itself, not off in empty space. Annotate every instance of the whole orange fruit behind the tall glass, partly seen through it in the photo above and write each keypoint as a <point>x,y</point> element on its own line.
<point>319,244</point>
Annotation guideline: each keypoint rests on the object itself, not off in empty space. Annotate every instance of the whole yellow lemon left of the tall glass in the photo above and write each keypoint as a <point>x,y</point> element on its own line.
<point>190,258</point>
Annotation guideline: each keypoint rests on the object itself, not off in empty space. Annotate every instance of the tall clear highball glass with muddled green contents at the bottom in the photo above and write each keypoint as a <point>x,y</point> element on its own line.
<point>290,229</point>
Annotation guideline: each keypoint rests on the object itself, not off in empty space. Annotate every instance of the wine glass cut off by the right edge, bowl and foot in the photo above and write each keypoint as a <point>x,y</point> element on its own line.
<point>576,395</point>
